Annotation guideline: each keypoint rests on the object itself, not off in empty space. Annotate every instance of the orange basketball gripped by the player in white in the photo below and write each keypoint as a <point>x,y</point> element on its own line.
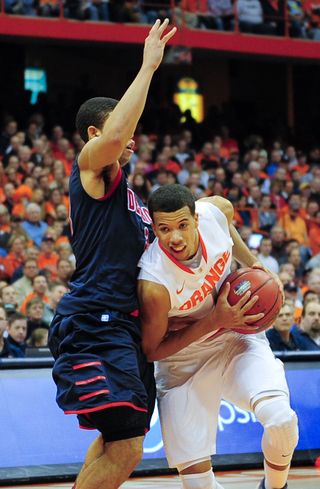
<point>258,282</point>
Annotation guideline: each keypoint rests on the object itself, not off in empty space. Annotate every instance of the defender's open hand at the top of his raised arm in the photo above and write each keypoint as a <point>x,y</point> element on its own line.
<point>155,44</point>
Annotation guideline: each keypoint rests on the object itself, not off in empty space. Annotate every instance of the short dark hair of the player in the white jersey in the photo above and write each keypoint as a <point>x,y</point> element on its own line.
<point>171,198</point>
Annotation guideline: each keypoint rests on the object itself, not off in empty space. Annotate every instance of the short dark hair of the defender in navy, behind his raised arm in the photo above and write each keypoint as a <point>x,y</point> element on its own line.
<point>94,112</point>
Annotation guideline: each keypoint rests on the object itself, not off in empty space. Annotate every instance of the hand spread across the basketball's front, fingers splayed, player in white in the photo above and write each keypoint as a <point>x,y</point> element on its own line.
<point>234,317</point>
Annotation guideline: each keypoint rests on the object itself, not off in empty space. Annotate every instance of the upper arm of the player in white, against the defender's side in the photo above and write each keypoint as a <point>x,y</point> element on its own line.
<point>154,302</point>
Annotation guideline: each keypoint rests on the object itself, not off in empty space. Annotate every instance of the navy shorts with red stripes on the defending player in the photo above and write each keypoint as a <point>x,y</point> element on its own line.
<point>100,365</point>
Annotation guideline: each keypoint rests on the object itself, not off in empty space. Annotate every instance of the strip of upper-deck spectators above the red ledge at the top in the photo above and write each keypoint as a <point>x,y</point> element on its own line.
<point>266,17</point>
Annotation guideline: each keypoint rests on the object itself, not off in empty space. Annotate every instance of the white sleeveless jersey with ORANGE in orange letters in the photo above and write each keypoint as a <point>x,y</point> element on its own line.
<point>192,290</point>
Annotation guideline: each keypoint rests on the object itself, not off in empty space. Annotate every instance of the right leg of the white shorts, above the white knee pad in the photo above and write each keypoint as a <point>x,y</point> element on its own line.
<point>252,370</point>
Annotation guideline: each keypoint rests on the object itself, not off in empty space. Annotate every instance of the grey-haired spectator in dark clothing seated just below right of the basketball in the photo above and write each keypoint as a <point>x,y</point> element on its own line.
<point>280,336</point>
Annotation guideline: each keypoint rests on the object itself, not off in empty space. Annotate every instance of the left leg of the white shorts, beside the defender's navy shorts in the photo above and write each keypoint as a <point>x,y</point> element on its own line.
<point>189,408</point>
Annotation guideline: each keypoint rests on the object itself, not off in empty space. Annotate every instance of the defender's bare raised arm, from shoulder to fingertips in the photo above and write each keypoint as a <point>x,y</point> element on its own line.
<point>119,128</point>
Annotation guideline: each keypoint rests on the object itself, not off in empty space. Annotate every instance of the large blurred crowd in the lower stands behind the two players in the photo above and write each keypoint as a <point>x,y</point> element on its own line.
<point>274,188</point>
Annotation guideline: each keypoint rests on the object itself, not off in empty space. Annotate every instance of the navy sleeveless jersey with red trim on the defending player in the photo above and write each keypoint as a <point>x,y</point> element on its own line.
<point>108,237</point>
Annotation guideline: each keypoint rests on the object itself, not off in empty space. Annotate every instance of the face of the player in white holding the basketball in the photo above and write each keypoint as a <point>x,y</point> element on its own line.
<point>177,232</point>
